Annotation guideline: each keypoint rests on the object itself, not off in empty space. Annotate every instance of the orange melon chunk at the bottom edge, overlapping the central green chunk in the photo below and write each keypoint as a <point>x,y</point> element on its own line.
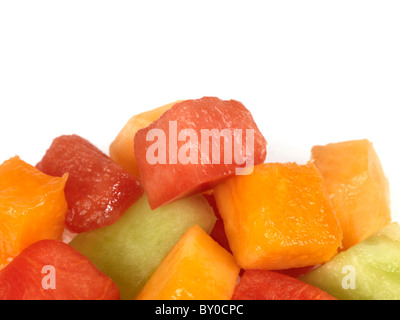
<point>196,268</point>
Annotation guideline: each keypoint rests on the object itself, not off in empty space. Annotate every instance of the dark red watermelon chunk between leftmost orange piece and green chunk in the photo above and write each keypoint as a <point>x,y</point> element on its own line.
<point>98,191</point>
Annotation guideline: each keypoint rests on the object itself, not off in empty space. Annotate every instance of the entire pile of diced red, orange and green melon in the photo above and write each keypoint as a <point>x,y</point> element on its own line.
<point>188,207</point>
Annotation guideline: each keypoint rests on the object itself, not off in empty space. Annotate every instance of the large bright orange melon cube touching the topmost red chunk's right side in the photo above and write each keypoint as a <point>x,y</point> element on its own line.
<point>278,217</point>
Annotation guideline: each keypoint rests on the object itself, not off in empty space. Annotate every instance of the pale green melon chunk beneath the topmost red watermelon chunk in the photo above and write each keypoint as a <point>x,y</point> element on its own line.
<point>131,249</point>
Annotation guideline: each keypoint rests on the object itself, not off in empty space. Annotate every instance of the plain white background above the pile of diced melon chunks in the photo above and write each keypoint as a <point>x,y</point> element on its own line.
<point>311,72</point>
